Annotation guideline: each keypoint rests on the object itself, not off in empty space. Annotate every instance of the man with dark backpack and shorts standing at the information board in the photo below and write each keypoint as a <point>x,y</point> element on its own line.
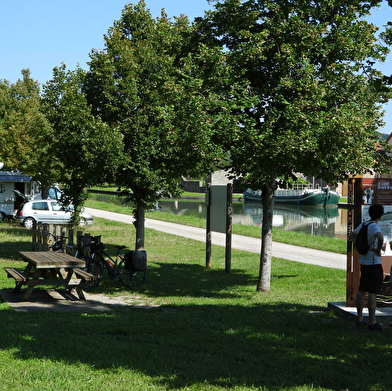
<point>371,268</point>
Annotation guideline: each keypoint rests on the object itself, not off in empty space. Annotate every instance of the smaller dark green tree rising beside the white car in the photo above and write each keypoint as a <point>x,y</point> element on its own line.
<point>86,150</point>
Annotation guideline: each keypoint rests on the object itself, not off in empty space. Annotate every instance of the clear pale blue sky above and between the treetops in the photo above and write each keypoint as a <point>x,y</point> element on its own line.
<point>42,34</point>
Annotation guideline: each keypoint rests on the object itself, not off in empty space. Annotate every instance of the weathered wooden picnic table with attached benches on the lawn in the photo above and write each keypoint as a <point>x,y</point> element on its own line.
<point>50,268</point>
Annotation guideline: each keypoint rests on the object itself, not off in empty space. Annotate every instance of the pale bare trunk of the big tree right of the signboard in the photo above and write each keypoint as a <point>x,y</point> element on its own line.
<point>268,197</point>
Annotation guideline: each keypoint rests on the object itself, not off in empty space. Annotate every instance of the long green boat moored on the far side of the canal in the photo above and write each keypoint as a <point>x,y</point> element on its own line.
<point>306,196</point>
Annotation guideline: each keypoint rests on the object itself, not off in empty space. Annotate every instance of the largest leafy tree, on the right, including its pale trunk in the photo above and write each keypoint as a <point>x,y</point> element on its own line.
<point>310,69</point>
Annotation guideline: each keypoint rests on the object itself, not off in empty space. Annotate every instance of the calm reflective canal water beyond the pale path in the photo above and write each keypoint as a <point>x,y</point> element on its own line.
<point>312,220</point>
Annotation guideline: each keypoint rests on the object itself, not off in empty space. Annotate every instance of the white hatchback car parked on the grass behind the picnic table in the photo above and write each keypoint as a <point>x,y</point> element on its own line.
<point>48,211</point>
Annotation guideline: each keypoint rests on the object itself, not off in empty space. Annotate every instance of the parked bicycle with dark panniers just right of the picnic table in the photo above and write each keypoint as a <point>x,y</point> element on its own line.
<point>120,268</point>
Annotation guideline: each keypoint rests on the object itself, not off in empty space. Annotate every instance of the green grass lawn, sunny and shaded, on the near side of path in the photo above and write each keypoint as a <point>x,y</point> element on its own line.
<point>205,329</point>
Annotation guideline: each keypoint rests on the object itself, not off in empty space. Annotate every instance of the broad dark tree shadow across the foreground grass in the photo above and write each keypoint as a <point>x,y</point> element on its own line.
<point>228,346</point>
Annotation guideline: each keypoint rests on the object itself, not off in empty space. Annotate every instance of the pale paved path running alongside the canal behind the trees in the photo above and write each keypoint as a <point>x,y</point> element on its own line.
<point>279,250</point>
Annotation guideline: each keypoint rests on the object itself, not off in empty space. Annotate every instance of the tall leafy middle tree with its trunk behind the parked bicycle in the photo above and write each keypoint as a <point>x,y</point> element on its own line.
<point>149,84</point>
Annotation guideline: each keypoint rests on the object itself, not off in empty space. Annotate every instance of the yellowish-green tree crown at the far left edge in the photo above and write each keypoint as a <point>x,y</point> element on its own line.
<point>25,133</point>
